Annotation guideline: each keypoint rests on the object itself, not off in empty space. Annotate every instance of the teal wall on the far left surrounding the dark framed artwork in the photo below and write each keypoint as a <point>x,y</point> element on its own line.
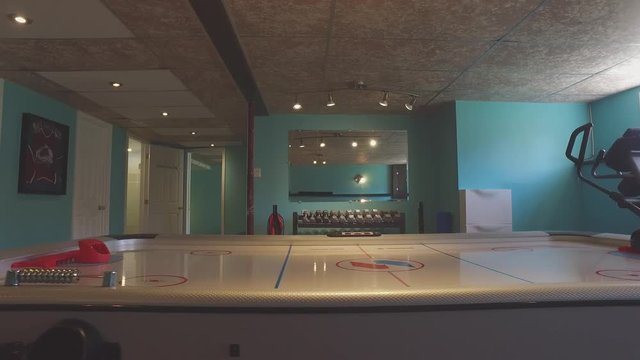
<point>27,219</point>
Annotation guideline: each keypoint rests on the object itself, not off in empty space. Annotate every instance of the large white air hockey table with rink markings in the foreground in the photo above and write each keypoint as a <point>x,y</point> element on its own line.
<point>530,295</point>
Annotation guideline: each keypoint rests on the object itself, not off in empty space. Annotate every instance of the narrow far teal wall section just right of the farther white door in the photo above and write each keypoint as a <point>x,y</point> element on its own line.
<point>205,199</point>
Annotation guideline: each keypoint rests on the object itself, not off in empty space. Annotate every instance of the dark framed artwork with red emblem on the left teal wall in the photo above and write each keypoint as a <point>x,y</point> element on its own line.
<point>44,151</point>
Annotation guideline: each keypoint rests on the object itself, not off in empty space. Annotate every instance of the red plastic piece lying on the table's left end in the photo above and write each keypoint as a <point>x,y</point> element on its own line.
<point>91,251</point>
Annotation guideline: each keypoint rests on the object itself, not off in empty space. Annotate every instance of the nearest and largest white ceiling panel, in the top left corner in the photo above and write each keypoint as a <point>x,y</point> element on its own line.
<point>61,19</point>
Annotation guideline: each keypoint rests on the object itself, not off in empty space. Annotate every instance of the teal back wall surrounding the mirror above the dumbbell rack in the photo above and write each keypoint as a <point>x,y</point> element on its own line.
<point>271,156</point>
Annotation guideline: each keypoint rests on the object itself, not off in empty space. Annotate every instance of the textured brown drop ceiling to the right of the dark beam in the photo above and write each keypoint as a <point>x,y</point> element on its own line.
<point>436,42</point>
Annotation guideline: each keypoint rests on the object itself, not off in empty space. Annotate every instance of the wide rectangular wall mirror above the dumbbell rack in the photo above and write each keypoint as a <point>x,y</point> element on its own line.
<point>347,165</point>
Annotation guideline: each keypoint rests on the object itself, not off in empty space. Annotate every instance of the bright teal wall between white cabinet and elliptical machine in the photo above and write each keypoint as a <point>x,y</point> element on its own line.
<point>520,146</point>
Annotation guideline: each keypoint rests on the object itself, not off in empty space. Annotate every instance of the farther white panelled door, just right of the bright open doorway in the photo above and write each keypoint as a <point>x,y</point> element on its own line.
<point>165,203</point>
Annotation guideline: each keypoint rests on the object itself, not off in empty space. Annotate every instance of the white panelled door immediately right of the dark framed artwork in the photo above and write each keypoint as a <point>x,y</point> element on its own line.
<point>91,177</point>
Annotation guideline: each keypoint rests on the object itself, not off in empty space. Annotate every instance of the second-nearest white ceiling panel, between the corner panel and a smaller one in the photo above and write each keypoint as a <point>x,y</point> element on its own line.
<point>135,80</point>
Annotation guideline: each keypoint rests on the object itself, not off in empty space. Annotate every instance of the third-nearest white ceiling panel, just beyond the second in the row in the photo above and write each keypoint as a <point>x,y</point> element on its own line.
<point>143,98</point>
